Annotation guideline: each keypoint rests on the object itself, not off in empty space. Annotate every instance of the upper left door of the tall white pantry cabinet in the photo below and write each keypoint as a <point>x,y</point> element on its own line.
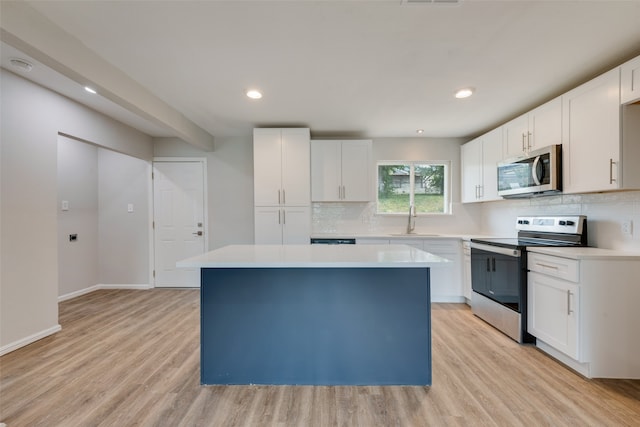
<point>267,166</point>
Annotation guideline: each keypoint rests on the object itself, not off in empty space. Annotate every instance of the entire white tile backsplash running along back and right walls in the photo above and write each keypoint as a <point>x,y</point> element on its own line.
<point>606,214</point>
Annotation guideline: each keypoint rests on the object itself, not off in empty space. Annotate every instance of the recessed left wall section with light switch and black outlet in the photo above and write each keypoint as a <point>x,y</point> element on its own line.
<point>78,186</point>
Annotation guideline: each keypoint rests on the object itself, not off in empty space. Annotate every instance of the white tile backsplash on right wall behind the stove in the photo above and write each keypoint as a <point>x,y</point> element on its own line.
<point>605,213</point>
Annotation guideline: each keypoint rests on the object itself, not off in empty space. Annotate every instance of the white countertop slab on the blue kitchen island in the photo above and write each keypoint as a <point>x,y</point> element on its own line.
<point>314,256</point>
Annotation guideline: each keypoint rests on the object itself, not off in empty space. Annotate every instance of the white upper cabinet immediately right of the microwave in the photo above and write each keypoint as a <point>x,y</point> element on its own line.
<point>598,156</point>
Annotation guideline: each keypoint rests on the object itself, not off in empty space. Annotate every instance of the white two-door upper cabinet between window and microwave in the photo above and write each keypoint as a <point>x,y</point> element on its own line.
<point>480,158</point>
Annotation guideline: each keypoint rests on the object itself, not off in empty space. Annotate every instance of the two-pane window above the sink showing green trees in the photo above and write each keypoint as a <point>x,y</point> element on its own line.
<point>424,185</point>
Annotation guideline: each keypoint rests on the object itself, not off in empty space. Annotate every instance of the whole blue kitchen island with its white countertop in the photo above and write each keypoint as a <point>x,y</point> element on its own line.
<point>315,314</point>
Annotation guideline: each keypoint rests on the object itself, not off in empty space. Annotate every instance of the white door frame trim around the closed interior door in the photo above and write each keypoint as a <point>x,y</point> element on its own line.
<point>205,204</point>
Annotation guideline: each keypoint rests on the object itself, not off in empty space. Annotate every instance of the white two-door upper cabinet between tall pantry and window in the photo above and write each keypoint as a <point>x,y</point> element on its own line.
<point>341,171</point>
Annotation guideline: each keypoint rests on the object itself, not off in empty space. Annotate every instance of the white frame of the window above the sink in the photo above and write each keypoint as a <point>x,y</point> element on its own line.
<point>447,206</point>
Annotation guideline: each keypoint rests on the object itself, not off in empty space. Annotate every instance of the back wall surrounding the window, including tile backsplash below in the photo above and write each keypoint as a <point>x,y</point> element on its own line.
<point>362,218</point>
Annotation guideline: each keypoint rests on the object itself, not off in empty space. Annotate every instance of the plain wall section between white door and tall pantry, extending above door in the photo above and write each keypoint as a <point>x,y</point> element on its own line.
<point>229,185</point>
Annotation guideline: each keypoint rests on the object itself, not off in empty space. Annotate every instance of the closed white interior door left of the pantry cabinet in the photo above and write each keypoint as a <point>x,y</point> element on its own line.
<point>179,227</point>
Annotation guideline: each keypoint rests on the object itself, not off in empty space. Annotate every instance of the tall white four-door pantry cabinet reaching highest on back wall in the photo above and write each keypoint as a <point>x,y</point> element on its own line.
<point>282,189</point>
